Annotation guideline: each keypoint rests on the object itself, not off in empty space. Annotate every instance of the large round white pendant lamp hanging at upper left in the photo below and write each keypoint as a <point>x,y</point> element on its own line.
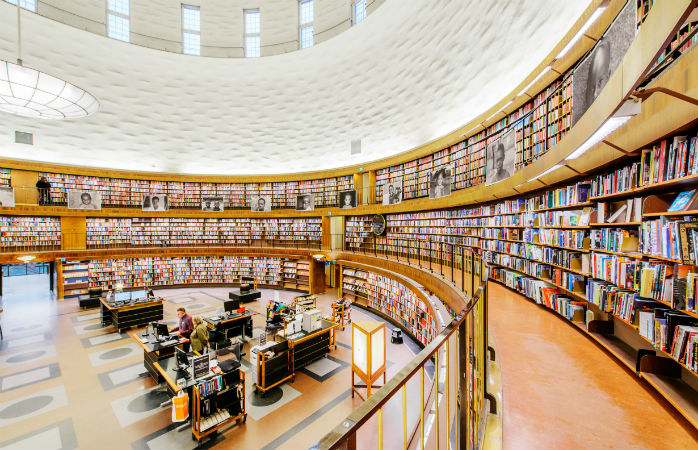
<point>30,93</point>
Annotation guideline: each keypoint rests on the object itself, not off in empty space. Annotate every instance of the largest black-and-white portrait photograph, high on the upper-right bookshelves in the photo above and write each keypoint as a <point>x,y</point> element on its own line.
<point>593,73</point>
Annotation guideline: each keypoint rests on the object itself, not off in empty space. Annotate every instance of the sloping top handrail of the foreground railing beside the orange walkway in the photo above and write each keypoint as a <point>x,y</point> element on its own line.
<point>363,413</point>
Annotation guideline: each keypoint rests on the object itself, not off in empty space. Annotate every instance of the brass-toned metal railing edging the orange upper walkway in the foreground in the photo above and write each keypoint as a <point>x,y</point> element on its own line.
<point>438,400</point>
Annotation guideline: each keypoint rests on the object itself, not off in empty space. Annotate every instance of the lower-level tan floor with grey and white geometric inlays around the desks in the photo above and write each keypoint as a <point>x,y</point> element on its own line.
<point>67,383</point>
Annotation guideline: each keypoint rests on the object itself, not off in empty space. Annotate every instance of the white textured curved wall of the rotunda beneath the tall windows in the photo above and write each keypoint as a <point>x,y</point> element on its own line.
<point>410,73</point>
